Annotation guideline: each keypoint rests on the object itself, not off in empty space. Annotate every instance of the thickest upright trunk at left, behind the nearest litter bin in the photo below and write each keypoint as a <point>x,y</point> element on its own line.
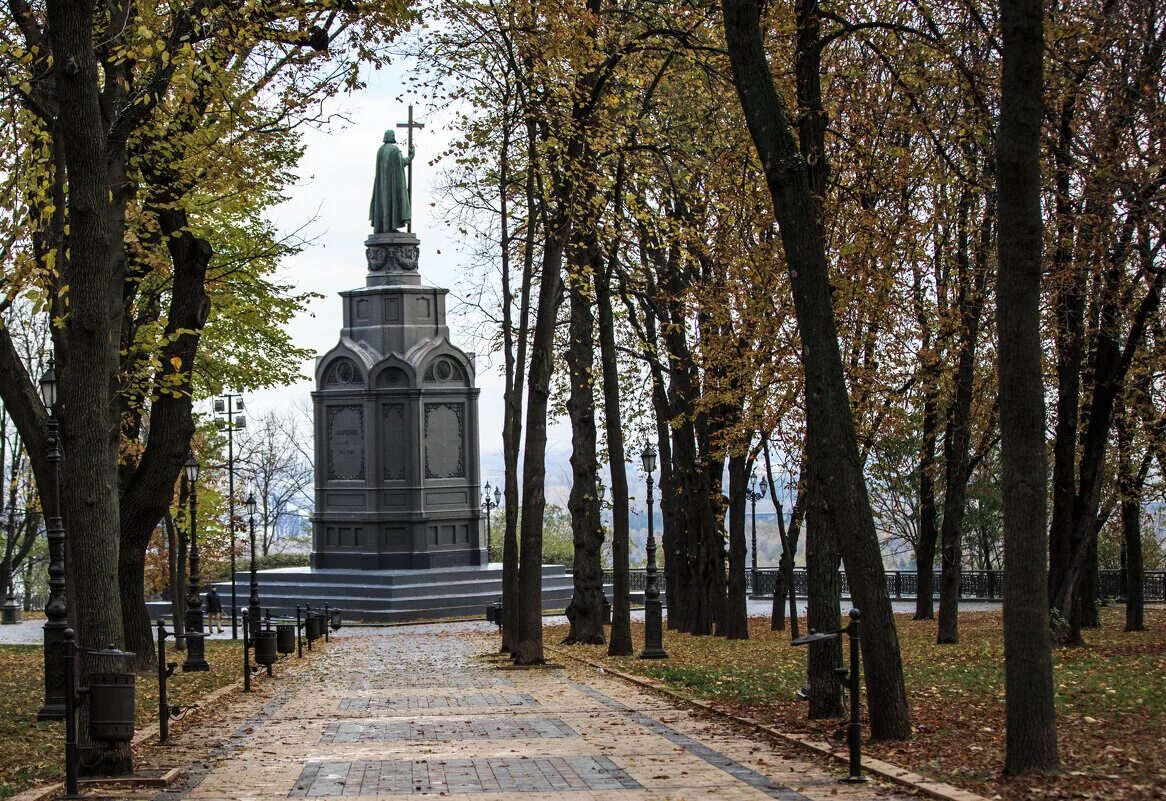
<point>89,367</point>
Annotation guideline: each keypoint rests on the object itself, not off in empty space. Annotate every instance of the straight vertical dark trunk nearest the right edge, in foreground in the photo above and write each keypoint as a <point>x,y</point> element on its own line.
<point>1030,716</point>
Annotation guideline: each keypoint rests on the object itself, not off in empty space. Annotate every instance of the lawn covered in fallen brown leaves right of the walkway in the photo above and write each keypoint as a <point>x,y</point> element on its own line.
<point>1111,700</point>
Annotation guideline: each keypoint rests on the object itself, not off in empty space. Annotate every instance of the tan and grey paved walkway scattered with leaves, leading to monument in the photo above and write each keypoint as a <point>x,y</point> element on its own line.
<point>391,713</point>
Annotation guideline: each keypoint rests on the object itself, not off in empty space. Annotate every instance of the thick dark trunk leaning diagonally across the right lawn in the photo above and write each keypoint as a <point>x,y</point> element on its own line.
<point>834,449</point>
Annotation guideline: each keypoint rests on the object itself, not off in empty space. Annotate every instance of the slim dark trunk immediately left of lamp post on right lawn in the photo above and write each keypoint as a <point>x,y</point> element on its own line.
<point>621,643</point>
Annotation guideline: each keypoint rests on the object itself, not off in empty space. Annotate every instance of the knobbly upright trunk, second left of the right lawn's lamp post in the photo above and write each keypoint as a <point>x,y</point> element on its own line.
<point>587,603</point>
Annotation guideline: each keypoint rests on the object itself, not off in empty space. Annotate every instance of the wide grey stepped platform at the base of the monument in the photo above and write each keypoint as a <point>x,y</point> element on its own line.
<point>391,596</point>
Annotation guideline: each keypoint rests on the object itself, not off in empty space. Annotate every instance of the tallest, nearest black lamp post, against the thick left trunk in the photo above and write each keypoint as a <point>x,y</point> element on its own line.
<point>57,610</point>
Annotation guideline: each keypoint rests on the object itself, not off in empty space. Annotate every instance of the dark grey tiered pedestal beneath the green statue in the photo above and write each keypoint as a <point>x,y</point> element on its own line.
<point>397,428</point>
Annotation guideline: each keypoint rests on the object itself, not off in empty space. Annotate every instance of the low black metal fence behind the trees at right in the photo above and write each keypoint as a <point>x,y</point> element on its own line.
<point>974,585</point>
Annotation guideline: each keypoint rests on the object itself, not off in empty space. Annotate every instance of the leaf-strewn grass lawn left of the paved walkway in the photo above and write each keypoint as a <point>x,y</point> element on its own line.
<point>33,753</point>
